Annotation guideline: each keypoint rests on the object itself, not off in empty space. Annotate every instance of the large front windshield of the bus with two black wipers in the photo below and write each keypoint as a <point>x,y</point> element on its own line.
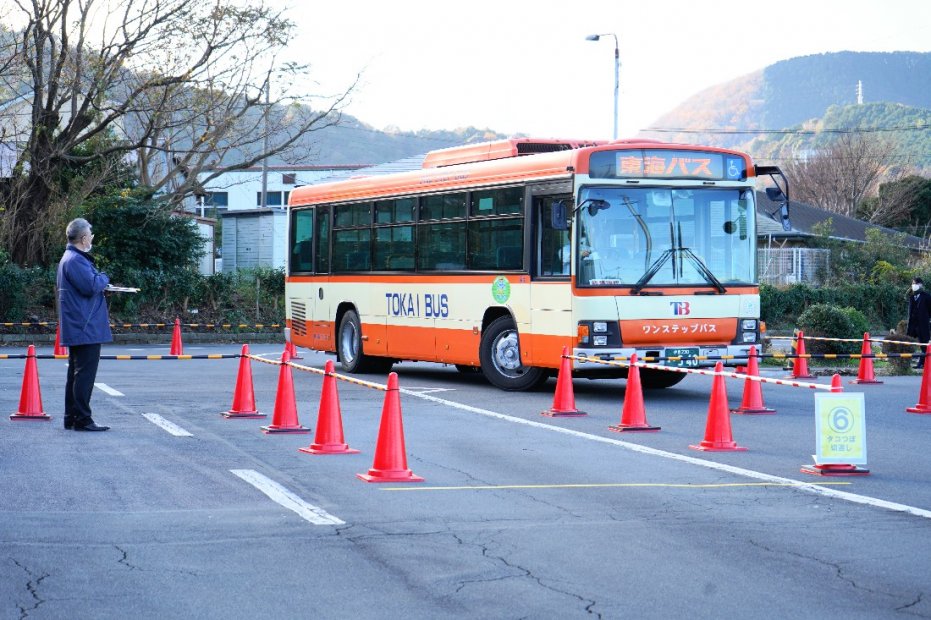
<point>655,237</point>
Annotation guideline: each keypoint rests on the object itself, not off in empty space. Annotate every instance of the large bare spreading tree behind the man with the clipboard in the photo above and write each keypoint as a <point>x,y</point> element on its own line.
<point>174,86</point>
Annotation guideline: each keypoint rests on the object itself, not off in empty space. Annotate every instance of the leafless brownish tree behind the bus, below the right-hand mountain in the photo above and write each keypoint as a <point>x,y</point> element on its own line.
<point>839,176</point>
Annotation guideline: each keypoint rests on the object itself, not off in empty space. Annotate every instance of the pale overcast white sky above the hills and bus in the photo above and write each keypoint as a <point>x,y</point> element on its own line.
<point>524,66</point>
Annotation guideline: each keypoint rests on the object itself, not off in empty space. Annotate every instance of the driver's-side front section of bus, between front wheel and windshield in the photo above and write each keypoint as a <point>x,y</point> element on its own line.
<point>551,291</point>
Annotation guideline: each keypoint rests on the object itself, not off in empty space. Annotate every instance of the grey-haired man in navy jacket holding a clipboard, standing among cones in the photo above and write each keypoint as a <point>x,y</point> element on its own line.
<point>84,321</point>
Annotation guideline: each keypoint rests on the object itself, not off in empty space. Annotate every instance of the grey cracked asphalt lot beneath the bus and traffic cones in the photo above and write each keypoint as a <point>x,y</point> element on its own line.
<point>519,516</point>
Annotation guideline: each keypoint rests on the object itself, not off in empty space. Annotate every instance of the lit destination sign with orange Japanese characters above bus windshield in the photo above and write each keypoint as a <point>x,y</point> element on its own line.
<point>667,164</point>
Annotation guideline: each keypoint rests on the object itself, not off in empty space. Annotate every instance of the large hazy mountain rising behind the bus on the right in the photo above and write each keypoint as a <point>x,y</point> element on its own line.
<point>815,89</point>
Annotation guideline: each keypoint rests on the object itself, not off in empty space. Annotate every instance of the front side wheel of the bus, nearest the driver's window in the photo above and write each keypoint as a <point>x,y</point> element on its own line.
<point>499,353</point>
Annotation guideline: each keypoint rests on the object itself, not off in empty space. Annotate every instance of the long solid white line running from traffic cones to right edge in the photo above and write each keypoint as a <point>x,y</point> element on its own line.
<point>737,471</point>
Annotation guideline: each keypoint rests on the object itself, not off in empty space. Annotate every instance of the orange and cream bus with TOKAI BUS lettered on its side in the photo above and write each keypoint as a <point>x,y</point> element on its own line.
<point>495,256</point>
